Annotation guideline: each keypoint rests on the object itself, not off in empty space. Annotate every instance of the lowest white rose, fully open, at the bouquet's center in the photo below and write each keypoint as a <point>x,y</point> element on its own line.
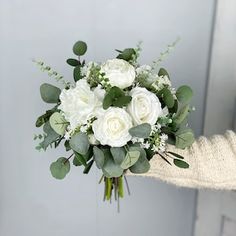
<point>112,128</point>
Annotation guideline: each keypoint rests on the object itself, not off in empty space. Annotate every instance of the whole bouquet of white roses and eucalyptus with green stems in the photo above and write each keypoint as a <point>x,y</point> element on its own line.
<point>116,114</point>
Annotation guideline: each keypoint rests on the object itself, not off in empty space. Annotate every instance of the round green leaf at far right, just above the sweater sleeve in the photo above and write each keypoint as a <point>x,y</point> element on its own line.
<point>184,138</point>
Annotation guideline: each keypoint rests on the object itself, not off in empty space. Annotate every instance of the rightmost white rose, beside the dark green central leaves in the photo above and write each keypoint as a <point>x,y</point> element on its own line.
<point>144,107</point>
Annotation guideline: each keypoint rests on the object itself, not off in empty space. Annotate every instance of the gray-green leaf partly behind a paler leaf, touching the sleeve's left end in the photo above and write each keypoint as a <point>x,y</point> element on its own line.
<point>142,165</point>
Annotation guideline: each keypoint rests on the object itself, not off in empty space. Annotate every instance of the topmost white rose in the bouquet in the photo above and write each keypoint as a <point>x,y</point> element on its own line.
<point>119,72</point>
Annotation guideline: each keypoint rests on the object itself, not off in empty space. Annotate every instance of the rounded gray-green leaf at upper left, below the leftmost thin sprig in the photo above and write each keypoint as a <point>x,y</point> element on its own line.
<point>50,93</point>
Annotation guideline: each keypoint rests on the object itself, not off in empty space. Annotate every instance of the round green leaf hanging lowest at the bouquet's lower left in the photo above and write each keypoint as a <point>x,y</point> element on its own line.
<point>60,168</point>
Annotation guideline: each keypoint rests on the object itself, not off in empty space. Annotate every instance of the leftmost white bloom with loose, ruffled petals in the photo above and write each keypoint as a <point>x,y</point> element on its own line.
<point>79,103</point>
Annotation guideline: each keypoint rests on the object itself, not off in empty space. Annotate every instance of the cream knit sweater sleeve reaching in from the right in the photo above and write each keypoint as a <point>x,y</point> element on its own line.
<point>212,164</point>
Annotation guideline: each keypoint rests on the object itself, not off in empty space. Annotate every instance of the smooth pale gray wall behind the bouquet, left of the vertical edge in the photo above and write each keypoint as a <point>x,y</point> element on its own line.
<point>31,201</point>
